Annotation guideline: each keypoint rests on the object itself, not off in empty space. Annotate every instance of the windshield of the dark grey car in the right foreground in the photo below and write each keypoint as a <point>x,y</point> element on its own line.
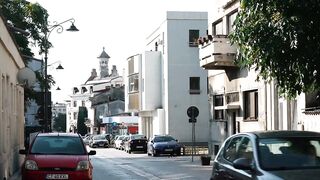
<point>289,153</point>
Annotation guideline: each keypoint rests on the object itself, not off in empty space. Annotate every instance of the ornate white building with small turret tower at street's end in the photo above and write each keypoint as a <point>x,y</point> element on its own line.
<point>83,94</point>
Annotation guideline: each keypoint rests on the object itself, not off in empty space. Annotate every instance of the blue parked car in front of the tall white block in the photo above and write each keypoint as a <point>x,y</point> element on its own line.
<point>163,144</point>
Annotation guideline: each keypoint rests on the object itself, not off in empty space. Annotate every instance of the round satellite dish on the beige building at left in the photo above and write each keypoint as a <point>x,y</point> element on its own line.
<point>26,77</point>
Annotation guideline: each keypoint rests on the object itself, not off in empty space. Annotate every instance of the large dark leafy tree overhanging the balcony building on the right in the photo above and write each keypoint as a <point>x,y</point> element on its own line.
<point>281,40</point>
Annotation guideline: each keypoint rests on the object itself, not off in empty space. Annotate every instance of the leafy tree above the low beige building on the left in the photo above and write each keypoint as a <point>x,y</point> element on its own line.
<point>32,18</point>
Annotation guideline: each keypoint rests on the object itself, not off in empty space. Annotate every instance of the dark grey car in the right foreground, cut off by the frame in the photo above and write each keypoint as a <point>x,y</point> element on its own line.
<point>269,155</point>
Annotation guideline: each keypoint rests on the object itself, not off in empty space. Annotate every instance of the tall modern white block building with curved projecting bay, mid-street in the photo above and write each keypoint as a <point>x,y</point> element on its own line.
<point>166,79</point>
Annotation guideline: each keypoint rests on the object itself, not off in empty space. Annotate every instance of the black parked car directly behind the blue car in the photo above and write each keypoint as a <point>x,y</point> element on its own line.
<point>136,142</point>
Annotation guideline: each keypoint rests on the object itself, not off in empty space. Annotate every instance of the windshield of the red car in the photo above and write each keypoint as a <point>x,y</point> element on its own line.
<point>62,145</point>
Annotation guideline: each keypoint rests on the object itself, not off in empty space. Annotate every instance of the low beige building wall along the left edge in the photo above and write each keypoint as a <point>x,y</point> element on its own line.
<point>11,104</point>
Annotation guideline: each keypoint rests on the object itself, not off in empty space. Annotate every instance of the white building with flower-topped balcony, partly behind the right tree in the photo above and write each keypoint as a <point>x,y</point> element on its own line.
<point>239,103</point>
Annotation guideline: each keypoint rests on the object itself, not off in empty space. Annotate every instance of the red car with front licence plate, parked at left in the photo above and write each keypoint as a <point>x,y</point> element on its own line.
<point>57,156</point>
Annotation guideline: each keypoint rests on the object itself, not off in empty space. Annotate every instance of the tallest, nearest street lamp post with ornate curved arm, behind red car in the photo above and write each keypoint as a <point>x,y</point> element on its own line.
<point>47,32</point>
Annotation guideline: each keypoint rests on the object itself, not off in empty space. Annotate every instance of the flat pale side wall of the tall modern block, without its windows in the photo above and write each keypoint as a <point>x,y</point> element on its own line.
<point>179,63</point>
